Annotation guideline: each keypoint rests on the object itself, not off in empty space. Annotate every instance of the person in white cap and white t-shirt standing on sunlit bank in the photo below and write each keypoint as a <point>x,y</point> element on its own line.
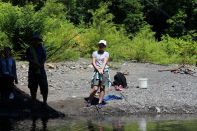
<point>101,72</point>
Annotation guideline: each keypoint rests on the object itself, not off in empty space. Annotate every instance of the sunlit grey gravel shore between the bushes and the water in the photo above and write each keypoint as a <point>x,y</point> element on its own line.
<point>69,84</point>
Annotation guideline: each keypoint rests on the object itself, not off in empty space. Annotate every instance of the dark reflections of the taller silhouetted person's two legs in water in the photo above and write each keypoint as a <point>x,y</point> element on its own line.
<point>34,124</point>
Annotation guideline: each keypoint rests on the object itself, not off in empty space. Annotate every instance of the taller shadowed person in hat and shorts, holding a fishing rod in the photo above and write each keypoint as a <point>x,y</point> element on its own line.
<point>36,56</point>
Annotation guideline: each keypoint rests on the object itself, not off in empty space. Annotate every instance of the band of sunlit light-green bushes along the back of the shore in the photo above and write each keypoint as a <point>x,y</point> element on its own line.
<point>65,41</point>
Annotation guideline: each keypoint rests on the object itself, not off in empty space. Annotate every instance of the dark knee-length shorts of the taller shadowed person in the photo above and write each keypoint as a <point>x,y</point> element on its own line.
<point>35,80</point>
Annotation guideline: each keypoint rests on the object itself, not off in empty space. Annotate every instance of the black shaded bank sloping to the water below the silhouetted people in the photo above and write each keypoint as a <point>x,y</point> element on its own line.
<point>21,107</point>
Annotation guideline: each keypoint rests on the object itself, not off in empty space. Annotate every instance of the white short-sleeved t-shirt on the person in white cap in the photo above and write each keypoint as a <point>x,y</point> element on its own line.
<point>100,58</point>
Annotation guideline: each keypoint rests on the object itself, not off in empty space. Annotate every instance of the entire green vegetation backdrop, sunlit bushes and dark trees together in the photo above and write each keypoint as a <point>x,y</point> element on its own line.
<point>156,31</point>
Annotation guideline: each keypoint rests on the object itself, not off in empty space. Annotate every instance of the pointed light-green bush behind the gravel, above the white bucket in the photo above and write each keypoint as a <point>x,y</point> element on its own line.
<point>147,49</point>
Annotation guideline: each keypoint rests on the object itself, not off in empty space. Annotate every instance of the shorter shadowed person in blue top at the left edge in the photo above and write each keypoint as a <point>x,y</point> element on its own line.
<point>8,74</point>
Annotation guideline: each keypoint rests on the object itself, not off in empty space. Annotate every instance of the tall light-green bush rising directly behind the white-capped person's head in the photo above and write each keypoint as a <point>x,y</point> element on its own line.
<point>103,28</point>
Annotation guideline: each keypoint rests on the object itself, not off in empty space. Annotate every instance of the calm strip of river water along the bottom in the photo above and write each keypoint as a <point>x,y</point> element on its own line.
<point>177,123</point>
